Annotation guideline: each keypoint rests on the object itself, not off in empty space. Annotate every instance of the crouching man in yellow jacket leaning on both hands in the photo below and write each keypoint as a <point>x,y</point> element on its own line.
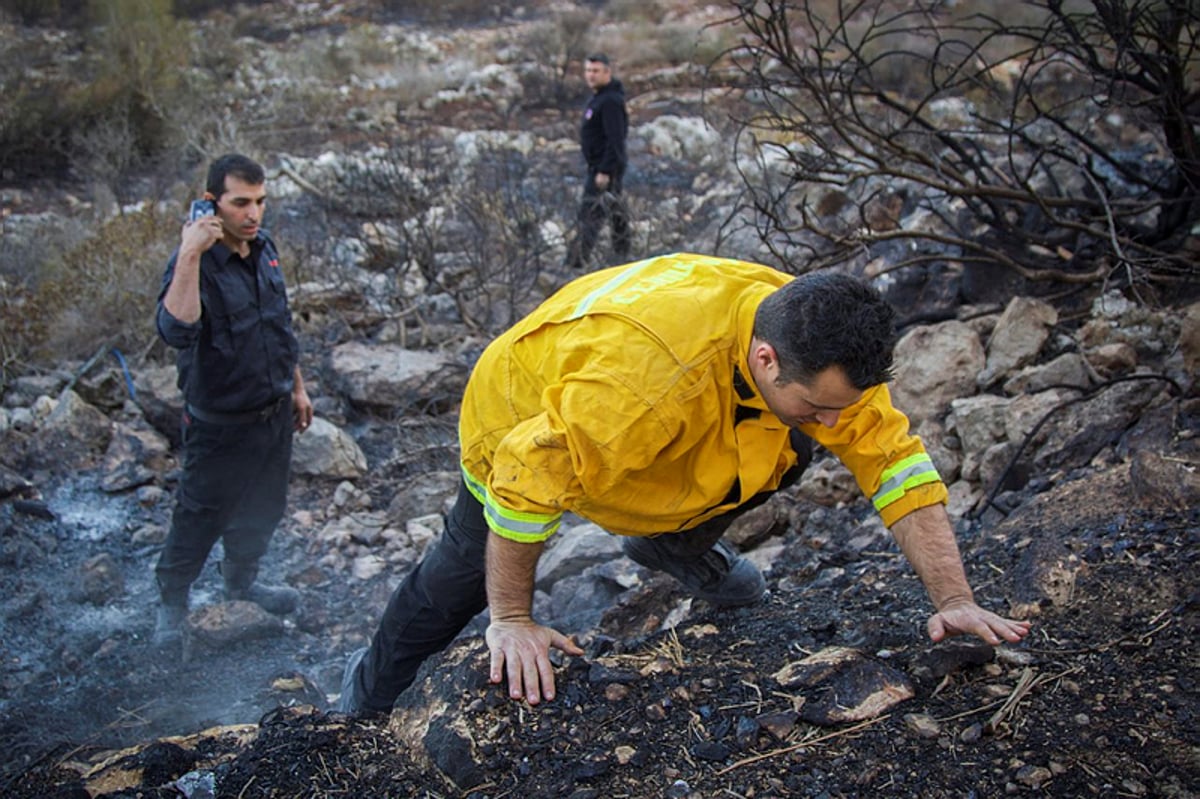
<point>661,400</point>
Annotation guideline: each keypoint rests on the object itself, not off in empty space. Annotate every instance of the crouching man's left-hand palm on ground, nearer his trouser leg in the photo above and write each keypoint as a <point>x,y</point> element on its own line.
<point>521,652</point>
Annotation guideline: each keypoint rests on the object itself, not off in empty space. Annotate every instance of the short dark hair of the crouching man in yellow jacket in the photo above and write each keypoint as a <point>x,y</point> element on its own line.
<point>826,320</point>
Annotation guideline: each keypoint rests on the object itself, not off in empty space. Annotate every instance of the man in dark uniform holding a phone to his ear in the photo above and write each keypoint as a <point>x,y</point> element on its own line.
<point>224,307</point>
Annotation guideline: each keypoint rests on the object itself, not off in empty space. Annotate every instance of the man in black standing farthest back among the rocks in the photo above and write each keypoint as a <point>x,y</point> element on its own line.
<point>603,141</point>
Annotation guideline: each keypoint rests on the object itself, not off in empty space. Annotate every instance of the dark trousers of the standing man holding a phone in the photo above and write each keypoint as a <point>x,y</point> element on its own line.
<point>235,488</point>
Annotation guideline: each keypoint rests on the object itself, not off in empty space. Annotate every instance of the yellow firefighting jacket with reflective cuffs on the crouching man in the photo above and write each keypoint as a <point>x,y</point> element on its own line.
<point>626,399</point>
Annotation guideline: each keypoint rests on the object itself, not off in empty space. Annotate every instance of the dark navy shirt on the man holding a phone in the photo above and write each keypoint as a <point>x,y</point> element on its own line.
<point>242,355</point>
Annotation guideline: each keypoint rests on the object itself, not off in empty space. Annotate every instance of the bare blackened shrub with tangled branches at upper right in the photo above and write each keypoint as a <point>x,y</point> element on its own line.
<point>1061,147</point>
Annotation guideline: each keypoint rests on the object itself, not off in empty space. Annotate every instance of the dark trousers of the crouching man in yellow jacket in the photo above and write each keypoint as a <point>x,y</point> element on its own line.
<point>448,590</point>
